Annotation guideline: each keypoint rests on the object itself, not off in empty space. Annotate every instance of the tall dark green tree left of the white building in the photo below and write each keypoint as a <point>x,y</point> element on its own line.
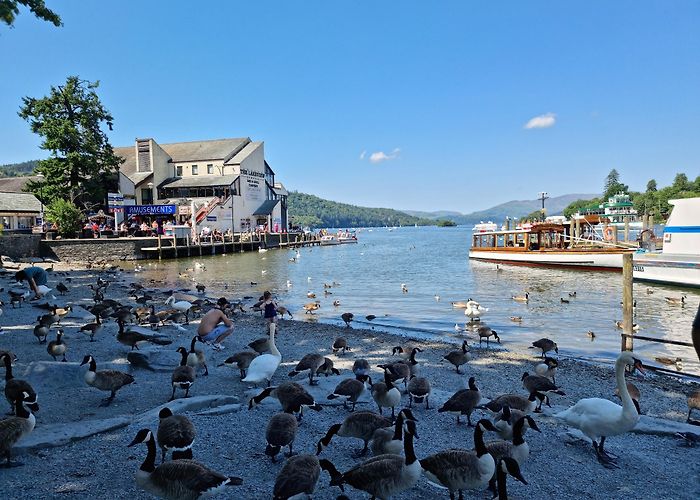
<point>82,162</point>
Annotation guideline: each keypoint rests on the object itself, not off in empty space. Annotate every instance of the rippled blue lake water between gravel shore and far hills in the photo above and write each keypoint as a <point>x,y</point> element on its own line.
<point>434,262</point>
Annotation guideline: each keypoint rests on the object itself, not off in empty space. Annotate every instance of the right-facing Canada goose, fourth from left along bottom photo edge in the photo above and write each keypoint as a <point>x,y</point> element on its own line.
<point>459,469</point>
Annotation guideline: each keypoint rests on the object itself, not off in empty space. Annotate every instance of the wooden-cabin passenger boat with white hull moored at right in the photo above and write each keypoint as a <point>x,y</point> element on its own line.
<point>546,244</point>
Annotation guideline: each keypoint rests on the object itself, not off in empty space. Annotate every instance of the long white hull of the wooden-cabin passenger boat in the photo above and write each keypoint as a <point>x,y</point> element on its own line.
<point>600,261</point>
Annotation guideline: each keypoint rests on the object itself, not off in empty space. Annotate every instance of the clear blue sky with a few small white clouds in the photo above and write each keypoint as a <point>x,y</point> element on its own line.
<point>409,105</point>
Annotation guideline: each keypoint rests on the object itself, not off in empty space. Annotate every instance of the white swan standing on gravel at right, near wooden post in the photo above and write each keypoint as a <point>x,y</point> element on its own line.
<point>599,418</point>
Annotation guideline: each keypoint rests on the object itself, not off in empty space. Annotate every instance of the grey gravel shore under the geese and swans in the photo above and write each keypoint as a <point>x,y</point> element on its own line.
<point>101,466</point>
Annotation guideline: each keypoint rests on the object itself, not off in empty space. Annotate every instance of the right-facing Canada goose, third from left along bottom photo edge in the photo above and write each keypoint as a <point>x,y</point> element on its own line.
<point>385,475</point>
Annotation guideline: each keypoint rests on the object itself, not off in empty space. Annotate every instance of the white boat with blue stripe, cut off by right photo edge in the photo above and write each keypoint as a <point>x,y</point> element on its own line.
<point>679,262</point>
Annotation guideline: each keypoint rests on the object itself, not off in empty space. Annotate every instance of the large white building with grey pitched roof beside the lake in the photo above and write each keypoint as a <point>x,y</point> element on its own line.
<point>224,180</point>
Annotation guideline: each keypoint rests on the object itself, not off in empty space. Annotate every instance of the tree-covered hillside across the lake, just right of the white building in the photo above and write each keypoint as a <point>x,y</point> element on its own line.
<point>312,211</point>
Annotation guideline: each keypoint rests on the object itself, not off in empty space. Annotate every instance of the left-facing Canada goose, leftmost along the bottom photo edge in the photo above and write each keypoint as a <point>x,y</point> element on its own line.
<point>178,479</point>
